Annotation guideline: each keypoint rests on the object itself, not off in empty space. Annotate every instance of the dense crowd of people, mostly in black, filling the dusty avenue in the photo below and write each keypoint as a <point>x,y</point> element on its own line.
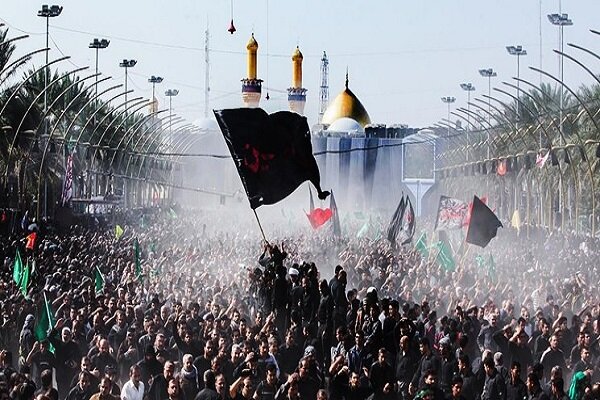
<point>213,315</point>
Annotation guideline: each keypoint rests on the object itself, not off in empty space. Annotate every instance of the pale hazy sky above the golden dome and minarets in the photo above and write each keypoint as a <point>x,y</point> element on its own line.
<point>402,55</point>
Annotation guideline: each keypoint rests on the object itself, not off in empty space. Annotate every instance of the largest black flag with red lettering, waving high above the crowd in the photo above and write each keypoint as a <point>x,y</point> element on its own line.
<point>272,153</point>
